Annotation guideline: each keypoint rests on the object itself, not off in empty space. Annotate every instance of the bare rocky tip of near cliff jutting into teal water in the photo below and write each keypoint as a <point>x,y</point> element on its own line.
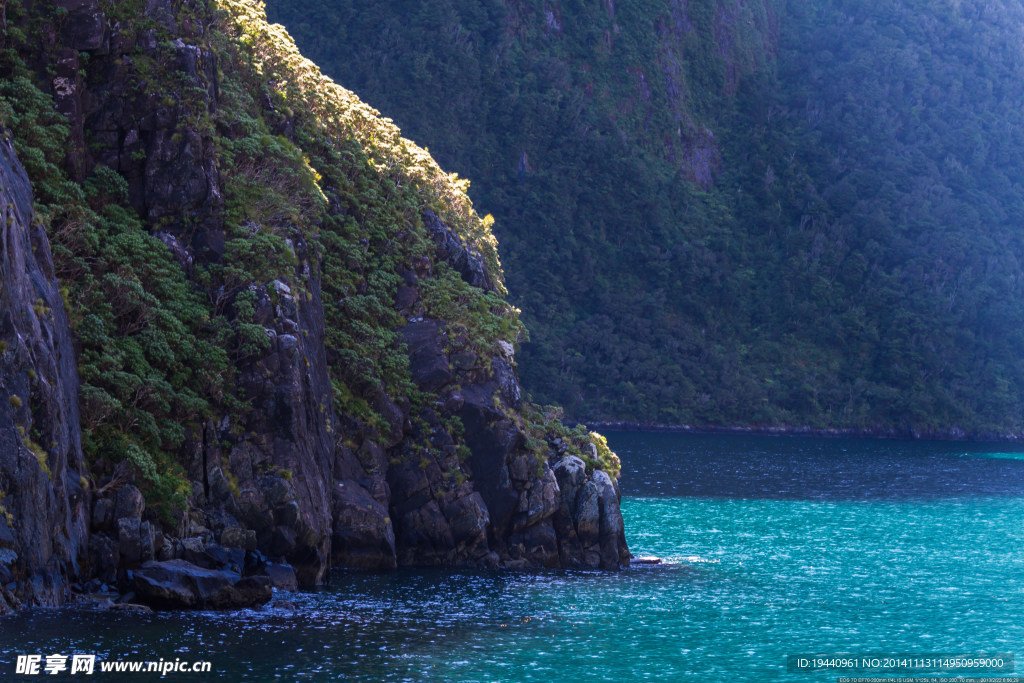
<point>516,507</point>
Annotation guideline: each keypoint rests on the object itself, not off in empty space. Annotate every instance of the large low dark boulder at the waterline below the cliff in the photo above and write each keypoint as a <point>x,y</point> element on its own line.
<point>181,585</point>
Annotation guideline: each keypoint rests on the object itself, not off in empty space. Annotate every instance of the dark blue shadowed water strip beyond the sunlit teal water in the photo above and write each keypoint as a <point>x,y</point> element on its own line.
<point>826,469</point>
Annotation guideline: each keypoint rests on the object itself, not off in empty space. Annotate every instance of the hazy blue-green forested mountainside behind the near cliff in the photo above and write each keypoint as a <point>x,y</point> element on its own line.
<point>719,212</point>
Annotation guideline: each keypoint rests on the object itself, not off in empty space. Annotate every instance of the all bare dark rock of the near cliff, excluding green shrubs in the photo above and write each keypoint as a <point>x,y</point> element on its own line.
<point>284,486</point>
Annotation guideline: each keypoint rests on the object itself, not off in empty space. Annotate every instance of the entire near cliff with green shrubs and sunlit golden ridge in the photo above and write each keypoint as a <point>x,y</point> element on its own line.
<point>289,324</point>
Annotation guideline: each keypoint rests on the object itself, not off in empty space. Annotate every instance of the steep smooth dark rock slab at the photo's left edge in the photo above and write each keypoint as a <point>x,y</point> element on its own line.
<point>41,464</point>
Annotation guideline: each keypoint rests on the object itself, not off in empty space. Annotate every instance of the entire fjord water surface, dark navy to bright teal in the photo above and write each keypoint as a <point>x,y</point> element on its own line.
<point>776,546</point>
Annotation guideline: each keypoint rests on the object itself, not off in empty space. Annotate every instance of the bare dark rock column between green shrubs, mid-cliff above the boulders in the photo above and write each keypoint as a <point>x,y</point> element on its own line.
<point>287,432</point>
